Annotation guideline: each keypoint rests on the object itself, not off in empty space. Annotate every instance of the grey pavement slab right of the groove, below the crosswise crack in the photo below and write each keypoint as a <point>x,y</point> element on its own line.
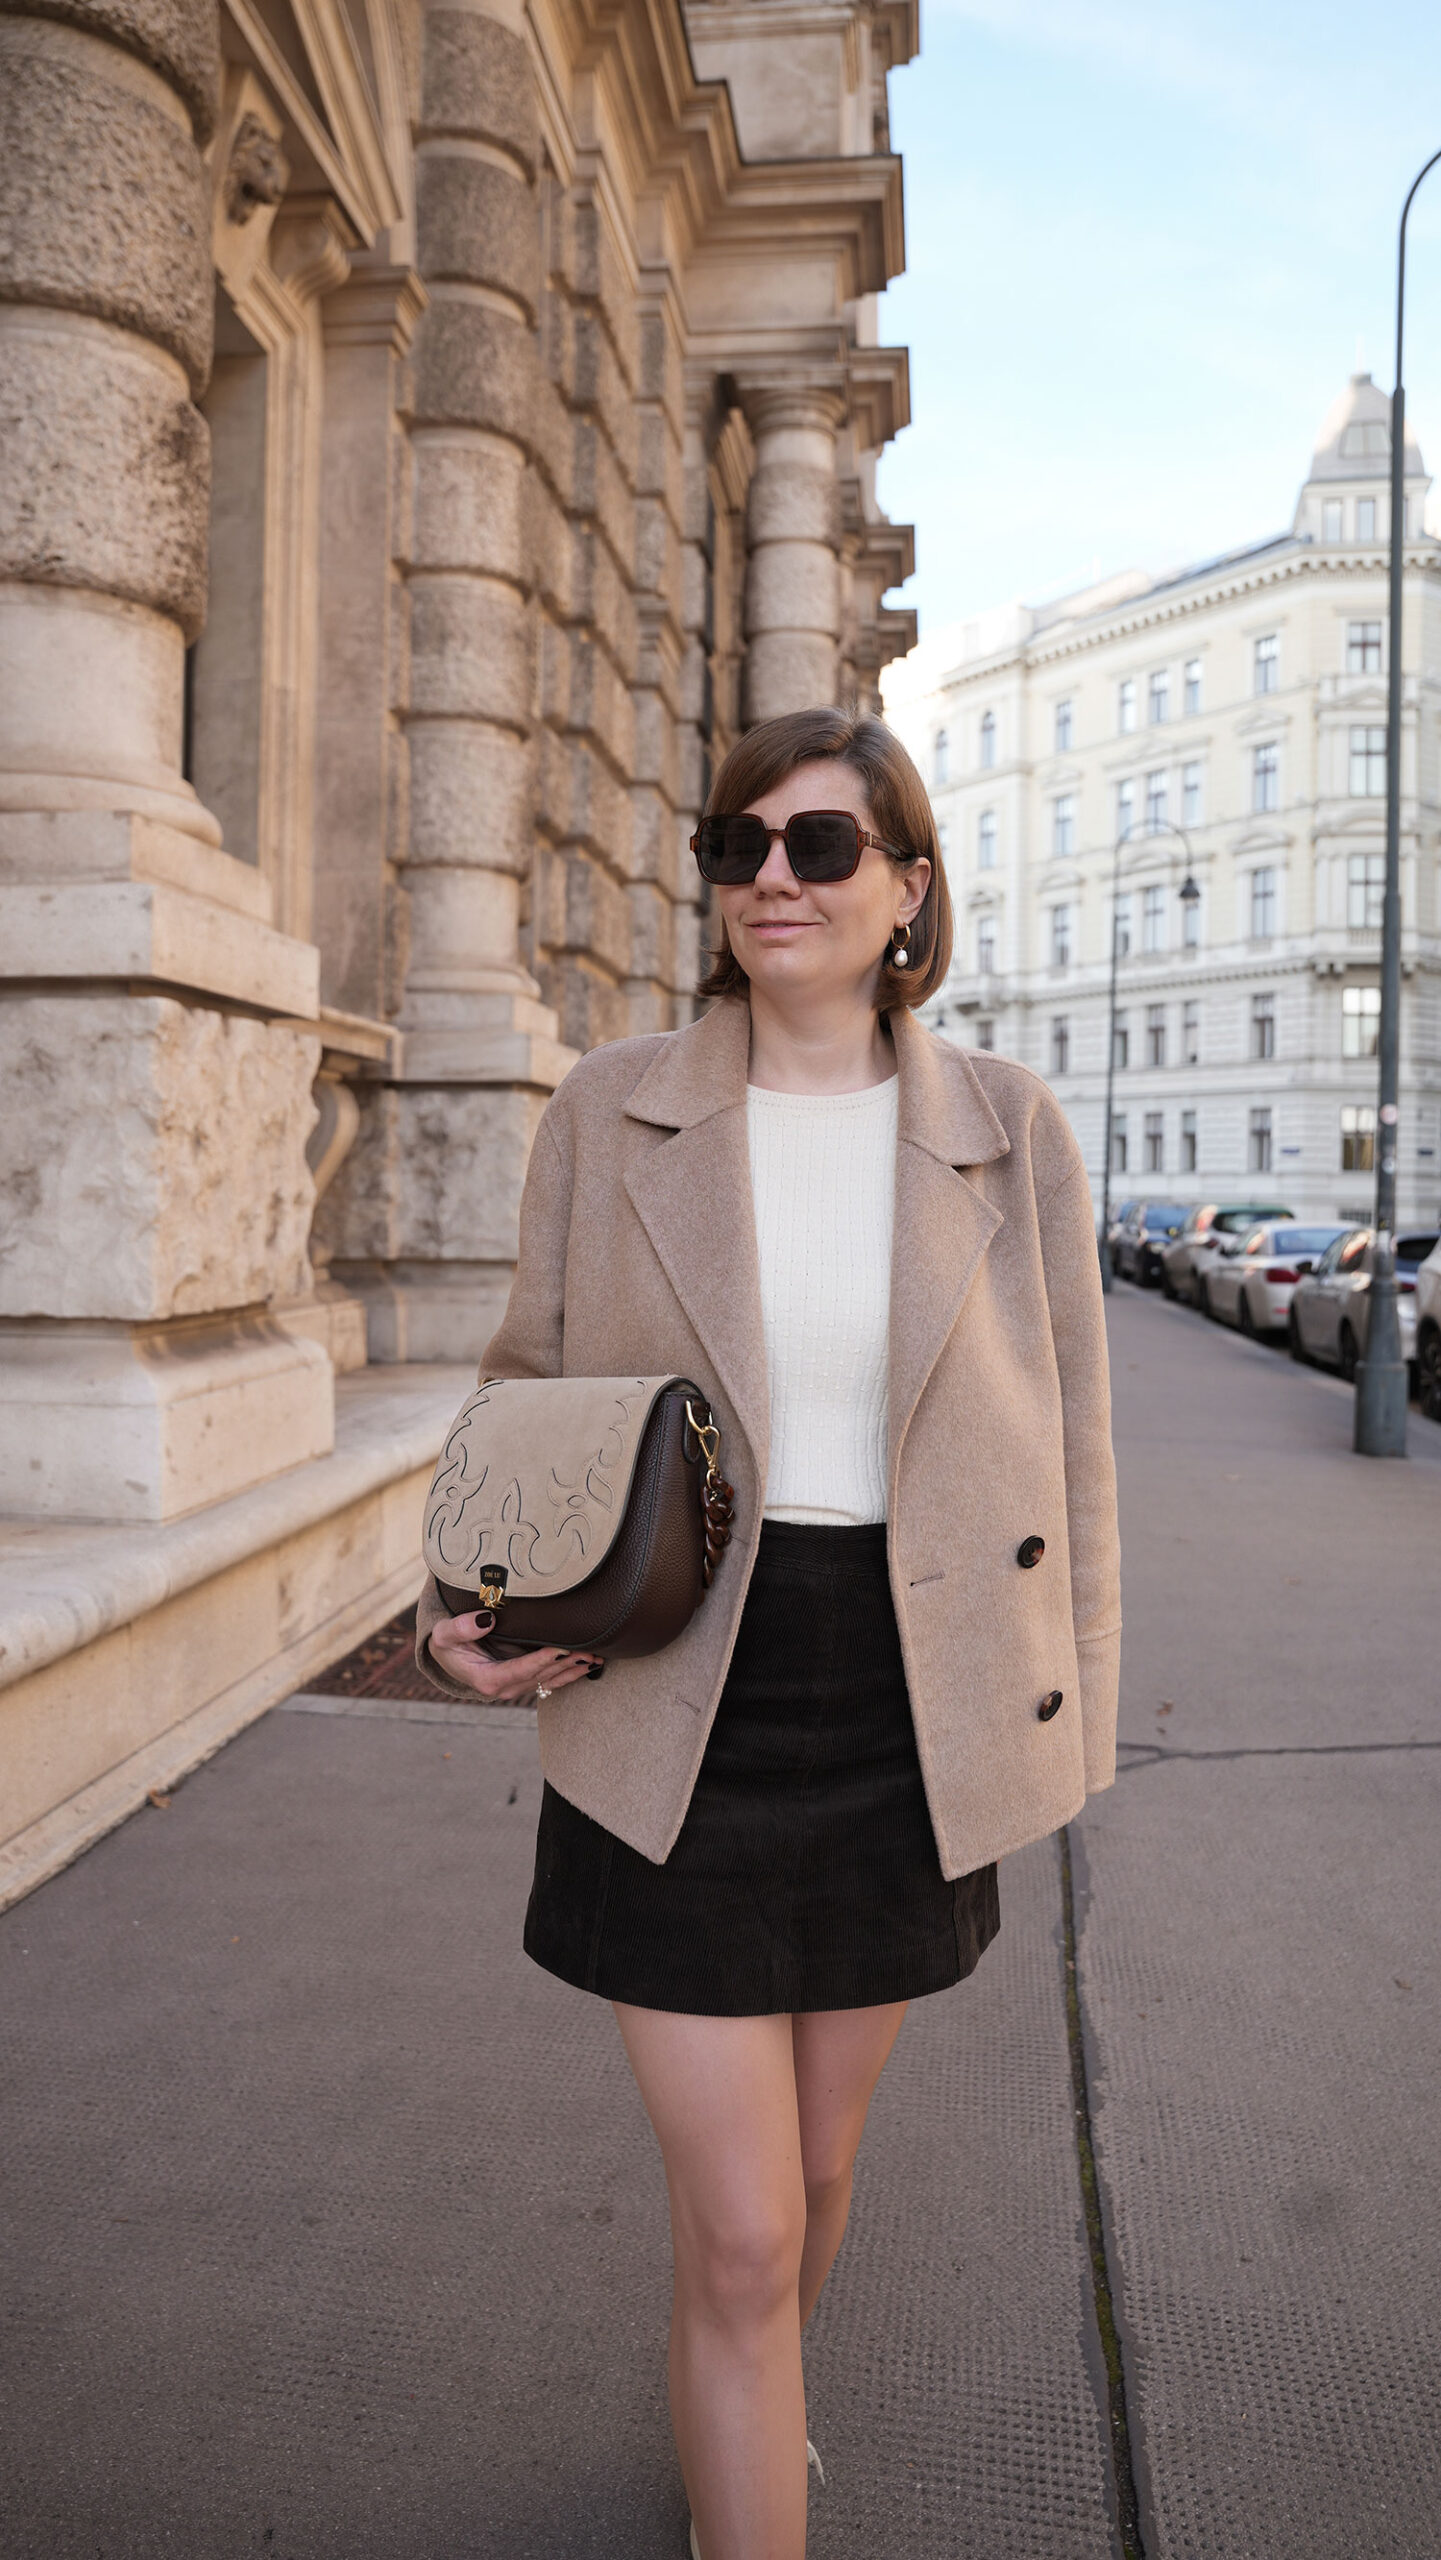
<point>1258,1962</point>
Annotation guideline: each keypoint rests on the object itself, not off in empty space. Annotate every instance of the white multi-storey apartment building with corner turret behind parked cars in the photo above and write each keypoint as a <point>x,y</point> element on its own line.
<point>1225,723</point>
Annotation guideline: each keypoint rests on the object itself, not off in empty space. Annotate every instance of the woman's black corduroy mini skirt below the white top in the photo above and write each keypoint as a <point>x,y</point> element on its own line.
<point>805,1875</point>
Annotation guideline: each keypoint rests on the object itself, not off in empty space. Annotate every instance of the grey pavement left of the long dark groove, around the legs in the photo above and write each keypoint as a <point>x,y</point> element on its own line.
<point>337,2228</point>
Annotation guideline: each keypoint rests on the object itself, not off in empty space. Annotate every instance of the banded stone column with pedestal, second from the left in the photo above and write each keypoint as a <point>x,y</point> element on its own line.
<point>424,1215</point>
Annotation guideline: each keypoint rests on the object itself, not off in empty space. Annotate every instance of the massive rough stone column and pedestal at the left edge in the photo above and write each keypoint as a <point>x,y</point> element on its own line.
<point>152,1153</point>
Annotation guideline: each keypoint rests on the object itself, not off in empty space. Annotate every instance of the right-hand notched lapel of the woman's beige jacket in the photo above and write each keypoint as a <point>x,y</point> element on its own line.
<point>943,1222</point>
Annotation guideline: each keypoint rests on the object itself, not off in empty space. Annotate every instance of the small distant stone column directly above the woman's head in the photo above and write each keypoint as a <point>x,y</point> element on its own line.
<point>792,588</point>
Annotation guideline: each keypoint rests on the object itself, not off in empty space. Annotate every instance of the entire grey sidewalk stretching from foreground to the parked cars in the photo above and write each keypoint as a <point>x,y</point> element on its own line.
<point>337,2228</point>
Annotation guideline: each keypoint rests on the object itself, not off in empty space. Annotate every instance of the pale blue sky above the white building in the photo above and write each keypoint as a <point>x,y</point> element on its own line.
<point>1148,244</point>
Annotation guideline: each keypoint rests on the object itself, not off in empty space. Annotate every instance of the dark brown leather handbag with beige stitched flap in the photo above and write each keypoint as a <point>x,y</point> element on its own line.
<point>582,1512</point>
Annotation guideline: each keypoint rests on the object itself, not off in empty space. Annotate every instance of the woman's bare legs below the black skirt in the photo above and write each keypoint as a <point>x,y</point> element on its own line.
<point>759,2121</point>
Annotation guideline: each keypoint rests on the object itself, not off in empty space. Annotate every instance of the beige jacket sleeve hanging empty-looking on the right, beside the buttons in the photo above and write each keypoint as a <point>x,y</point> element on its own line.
<point>1079,1332</point>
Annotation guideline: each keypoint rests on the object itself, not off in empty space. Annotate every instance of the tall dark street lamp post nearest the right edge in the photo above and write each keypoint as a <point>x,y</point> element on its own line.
<point>1381,1376</point>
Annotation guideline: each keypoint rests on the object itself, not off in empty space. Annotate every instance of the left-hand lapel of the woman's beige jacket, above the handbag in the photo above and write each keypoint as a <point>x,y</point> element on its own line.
<point>692,1197</point>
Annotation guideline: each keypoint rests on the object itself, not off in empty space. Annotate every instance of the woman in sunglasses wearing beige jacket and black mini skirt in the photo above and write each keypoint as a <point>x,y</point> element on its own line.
<point>877,1256</point>
